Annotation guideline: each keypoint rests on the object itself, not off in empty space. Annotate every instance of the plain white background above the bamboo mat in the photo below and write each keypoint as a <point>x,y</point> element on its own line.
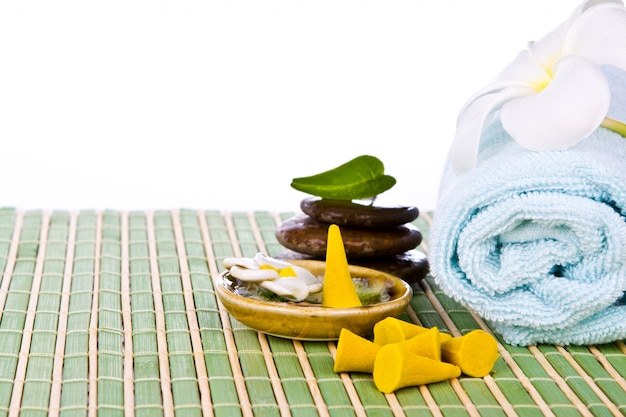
<point>219,104</point>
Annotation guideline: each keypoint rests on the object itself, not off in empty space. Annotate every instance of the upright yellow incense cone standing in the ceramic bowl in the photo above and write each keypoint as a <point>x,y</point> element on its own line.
<point>339,290</point>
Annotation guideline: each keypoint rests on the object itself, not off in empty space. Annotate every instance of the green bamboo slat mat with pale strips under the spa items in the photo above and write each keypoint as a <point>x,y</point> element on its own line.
<point>113,313</point>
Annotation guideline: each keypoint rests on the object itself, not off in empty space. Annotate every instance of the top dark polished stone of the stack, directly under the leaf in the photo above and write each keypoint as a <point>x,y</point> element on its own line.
<point>356,214</point>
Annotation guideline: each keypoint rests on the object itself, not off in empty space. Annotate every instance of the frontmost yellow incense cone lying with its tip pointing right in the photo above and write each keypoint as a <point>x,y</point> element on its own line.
<point>395,368</point>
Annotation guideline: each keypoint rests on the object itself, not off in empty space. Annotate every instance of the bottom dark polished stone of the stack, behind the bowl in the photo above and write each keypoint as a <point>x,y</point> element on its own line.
<point>410,266</point>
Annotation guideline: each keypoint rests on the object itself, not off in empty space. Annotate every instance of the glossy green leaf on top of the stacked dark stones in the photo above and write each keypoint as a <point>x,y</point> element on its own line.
<point>362,177</point>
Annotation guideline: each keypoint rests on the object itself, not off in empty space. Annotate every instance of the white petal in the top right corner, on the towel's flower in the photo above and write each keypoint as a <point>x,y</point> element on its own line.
<point>599,34</point>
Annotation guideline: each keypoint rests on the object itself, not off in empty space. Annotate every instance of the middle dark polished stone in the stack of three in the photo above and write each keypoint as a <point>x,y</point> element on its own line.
<point>304,234</point>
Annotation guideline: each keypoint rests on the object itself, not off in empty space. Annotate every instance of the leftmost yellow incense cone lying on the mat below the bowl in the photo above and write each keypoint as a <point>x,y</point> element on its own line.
<point>354,353</point>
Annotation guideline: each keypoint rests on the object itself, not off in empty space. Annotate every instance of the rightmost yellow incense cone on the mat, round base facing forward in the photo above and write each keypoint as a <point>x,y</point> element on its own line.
<point>475,353</point>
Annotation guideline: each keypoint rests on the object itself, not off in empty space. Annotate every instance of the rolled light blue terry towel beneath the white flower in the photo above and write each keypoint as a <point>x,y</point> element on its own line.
<point>535,241</point>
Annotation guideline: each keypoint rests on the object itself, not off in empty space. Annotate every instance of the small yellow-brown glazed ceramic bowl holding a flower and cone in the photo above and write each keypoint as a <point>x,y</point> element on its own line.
<point>314,322</point>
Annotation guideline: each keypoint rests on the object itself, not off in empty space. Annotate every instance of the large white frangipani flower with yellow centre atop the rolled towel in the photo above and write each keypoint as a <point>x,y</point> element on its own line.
<point>553,94</point>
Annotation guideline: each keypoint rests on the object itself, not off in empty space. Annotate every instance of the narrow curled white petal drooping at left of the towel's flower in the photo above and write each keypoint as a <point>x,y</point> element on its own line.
<point>473,120</point>
